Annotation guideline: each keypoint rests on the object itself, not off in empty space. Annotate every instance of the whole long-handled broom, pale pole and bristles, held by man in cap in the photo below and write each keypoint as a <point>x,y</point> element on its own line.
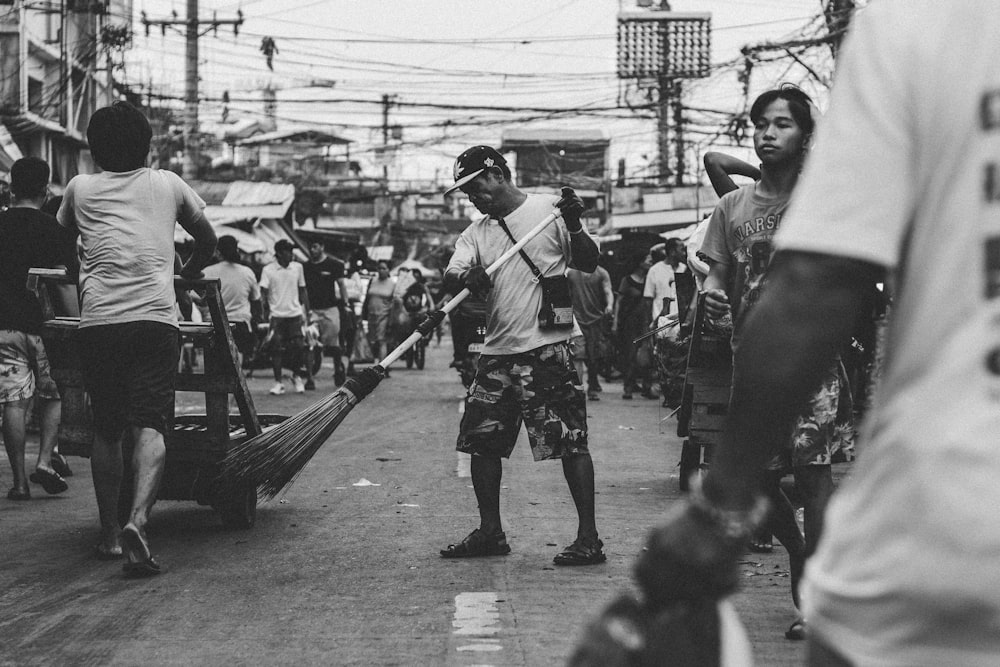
<point>271,461</point>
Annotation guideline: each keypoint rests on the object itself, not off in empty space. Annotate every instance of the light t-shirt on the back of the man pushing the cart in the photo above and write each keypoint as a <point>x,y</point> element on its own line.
<point>126,222</point>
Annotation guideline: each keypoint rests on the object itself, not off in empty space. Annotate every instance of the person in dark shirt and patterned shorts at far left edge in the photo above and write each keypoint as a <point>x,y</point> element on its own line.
<point>28,238</point>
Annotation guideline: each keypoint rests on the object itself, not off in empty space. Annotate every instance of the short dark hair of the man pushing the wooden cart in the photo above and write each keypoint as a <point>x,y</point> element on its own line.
<point>119,137</point>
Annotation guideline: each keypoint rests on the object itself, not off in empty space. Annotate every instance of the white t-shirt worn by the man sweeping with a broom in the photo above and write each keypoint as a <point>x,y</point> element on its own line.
<point>514,301</point>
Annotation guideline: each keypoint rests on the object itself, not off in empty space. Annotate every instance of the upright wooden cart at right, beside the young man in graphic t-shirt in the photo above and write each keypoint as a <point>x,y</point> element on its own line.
<point>705,400</point>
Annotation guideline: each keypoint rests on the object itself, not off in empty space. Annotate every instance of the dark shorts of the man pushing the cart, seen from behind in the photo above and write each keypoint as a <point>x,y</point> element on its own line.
<point>128,370</point>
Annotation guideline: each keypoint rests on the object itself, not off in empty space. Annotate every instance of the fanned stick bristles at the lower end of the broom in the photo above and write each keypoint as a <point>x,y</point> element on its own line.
<point>271,461</point>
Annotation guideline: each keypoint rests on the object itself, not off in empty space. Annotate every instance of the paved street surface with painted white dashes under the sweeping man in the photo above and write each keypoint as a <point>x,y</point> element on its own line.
<point>344,569</point>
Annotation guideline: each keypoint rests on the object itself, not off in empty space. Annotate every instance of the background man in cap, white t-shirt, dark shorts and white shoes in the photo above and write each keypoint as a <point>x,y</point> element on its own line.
<point>286,308</point>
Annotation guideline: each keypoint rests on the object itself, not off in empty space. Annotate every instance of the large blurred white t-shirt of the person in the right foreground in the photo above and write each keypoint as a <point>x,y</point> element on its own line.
<point>906,174</point>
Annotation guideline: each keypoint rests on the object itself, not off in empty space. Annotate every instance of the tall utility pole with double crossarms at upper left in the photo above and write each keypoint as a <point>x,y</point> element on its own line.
<point>192,33</point>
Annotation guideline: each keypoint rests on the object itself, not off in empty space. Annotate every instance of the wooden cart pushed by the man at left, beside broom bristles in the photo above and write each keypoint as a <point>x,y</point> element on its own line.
<point>195,443</point>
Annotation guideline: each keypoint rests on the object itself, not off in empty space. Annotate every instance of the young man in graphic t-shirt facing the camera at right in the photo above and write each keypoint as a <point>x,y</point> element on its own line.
<point>739,243</point>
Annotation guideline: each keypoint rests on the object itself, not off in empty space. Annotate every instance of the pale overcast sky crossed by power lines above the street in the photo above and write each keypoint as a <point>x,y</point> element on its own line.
<point>559,54</point>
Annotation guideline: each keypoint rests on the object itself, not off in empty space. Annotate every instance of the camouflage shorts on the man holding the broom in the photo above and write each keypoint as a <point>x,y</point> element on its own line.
<point>539,388</point>
